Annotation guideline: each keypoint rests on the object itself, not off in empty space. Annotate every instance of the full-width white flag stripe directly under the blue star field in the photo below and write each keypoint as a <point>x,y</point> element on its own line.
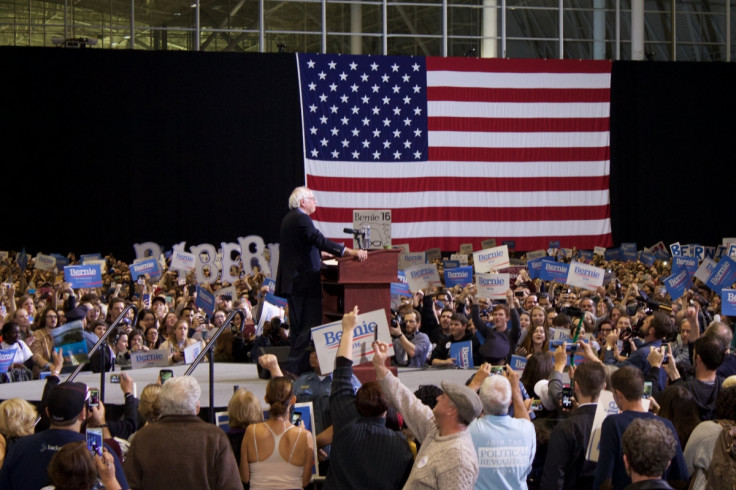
<point>443,168</point>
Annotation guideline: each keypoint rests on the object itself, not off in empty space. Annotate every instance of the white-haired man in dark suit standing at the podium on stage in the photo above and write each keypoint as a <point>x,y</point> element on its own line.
<point>298,277</point>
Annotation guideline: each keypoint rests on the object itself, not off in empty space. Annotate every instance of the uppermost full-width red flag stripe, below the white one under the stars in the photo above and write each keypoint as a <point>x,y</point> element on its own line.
<point>466,184</point>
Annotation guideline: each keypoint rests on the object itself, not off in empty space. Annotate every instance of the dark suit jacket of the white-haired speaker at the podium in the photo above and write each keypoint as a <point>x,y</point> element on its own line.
<point>300,244</point>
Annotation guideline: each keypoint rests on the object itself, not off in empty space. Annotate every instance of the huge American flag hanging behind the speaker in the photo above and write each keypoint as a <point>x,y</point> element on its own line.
<point>459,149</point>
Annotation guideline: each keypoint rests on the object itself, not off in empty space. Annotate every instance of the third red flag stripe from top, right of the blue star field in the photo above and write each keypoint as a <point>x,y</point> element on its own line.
<point>530,125</point>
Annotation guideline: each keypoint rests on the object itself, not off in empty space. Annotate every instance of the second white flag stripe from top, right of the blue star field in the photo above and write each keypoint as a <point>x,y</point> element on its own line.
<point>517,110</point>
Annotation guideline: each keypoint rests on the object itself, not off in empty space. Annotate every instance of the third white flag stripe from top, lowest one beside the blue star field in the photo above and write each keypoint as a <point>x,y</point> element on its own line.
<point>477,139</point>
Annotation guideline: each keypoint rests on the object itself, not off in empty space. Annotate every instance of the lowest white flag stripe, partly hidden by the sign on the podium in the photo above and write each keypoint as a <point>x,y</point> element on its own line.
<point>484,229</point>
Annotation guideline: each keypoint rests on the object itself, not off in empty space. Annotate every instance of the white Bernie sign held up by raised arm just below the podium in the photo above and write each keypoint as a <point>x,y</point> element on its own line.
<point>327,339</point>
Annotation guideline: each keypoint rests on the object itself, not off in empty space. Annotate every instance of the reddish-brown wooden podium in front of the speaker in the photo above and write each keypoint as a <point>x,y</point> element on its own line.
<point>366,284</point>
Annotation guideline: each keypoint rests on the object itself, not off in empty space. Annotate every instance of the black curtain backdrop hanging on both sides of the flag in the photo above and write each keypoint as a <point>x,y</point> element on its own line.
<point>113,148</point>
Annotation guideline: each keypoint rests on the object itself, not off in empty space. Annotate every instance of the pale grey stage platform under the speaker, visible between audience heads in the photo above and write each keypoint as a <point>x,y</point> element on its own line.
<point>226,376</point>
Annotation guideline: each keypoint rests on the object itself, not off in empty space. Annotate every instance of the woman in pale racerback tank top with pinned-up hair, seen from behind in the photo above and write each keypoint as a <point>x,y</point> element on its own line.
<point>276,453</point>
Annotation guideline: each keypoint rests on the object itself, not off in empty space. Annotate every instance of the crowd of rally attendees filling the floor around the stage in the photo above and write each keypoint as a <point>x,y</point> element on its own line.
<point>667,365</point>
